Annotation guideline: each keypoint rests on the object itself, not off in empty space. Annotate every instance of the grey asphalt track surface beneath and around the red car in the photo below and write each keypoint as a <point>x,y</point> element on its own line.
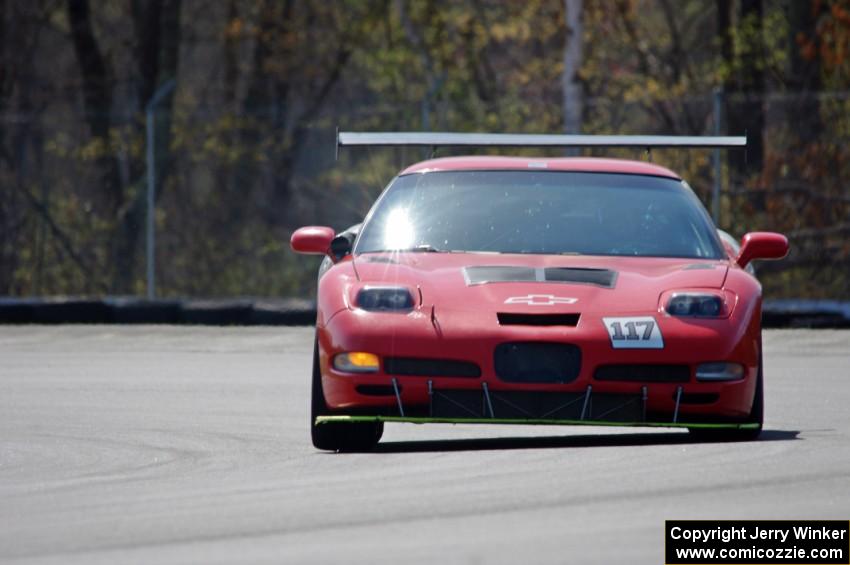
<point>123,444</point>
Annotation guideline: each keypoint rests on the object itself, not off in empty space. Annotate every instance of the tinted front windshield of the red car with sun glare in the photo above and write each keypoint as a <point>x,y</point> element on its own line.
<point>540,212</point>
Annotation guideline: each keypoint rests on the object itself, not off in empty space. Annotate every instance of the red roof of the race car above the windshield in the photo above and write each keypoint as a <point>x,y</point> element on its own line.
<point>576,164</point>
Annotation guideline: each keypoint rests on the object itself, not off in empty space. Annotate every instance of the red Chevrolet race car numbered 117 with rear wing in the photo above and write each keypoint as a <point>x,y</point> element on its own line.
<point>536,291</point>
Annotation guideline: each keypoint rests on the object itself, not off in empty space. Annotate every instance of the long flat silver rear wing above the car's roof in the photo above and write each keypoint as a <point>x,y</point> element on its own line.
<point>444,139</point>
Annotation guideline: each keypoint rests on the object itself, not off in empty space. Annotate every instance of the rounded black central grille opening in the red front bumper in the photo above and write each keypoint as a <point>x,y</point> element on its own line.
<point>537,362</point>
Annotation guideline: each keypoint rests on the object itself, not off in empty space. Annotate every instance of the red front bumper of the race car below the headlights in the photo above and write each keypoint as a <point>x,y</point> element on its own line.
<point>473,337</point>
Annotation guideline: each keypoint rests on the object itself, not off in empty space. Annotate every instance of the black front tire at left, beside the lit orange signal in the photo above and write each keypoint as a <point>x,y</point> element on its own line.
<point>361,436</point>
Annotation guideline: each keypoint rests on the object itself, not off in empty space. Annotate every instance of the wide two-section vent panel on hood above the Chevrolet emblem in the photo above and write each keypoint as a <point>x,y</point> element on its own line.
<point>569,275</point>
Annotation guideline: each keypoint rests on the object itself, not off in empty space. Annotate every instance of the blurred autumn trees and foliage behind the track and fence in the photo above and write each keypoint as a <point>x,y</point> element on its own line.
<point>245,142</point>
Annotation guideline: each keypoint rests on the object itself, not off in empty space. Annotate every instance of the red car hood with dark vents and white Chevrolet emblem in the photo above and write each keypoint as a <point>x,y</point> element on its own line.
<point>538,283</point>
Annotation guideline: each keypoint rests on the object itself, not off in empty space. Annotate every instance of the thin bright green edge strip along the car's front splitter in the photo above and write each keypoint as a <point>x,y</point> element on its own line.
<point>536,422</point>
